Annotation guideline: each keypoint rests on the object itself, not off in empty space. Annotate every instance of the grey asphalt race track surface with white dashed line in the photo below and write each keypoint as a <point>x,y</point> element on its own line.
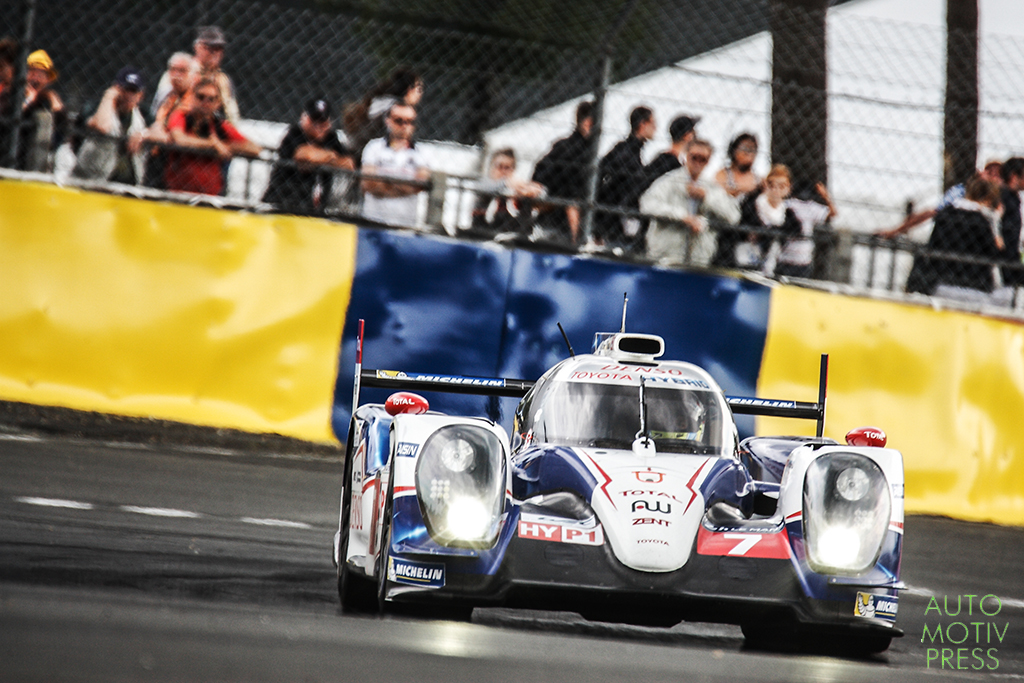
<point>129,563</point>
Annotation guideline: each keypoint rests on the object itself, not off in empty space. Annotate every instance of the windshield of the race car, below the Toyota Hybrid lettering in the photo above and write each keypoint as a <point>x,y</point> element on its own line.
<point>609,416</point>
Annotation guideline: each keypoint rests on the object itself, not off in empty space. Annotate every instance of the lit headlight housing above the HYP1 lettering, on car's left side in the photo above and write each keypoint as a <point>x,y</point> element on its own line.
<point>460,480</point>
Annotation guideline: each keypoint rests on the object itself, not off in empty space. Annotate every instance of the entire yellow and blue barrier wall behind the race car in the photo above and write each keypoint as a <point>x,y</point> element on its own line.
<point>232,320</point>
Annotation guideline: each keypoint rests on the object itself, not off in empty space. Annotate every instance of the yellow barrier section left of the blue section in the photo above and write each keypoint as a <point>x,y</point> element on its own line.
<point>199,316</point>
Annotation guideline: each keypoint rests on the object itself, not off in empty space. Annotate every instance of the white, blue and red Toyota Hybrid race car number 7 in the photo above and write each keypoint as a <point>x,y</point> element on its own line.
<point>624,494</point>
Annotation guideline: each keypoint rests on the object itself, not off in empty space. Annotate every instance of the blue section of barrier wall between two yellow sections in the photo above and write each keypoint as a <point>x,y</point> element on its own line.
<point>435,306</point>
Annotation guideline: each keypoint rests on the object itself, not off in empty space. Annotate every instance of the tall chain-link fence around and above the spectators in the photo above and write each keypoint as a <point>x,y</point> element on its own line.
<point>859,103</point>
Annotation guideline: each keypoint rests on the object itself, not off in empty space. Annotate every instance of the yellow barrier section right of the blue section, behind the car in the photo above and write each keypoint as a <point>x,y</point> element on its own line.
<point>947,388</point>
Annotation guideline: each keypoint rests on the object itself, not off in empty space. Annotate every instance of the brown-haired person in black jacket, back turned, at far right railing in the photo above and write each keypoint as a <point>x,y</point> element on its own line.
<point>968,228</point>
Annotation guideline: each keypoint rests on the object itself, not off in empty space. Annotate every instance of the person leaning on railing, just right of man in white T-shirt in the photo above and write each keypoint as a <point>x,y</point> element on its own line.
<point>505,208</point>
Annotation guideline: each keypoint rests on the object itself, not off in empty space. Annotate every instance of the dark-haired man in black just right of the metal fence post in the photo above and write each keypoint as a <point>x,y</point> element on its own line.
<point>621,181</point>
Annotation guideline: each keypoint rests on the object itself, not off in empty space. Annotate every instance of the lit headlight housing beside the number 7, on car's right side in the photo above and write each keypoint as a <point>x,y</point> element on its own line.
<point>847,508</point>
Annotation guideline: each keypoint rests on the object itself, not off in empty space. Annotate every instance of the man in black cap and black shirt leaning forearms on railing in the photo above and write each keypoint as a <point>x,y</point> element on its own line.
<point>302,181</point>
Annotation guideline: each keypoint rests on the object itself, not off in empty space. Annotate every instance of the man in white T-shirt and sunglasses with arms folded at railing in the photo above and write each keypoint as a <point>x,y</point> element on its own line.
<point>396,157</point>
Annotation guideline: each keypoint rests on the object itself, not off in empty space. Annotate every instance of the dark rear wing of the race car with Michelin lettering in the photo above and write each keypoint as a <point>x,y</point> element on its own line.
<point>492,387</point>
